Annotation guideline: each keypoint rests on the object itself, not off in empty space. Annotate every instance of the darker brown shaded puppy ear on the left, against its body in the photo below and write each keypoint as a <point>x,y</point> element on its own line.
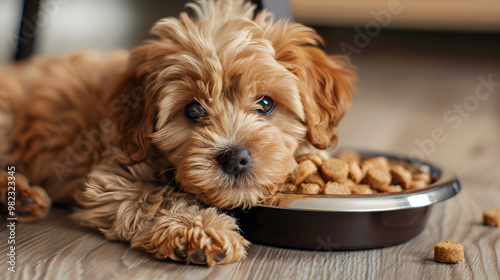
<point>134,107</point>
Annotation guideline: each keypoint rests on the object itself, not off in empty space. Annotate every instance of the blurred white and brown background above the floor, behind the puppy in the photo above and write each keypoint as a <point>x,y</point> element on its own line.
<point>68,25</point>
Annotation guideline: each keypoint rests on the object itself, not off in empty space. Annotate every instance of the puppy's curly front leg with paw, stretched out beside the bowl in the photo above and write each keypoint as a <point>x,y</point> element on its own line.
<point>126,204</point>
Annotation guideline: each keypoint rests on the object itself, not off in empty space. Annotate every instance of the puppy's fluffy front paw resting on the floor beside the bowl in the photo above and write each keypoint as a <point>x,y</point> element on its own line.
<point>198,236</point>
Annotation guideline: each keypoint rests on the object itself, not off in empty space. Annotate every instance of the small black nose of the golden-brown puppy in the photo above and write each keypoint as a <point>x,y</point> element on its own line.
<point>235,160</point>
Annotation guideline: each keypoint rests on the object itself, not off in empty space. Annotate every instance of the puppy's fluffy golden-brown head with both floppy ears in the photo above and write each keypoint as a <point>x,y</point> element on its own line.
<point>228,99</point>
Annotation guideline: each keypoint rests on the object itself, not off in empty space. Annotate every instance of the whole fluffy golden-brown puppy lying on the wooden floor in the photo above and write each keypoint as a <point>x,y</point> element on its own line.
<point>210,113</point>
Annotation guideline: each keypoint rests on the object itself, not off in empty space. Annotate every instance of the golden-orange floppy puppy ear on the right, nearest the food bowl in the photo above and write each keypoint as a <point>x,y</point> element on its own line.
<point>324,81</point>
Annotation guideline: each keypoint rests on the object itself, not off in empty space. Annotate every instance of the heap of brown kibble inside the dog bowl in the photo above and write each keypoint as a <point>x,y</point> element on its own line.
<point>348,173</point>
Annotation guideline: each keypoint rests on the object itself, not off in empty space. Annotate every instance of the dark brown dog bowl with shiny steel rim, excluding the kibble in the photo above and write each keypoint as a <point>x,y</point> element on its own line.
<point>329,222</point>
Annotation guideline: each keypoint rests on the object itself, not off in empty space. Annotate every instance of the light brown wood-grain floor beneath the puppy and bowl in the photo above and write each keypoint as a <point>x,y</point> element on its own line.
<point>403,93</point>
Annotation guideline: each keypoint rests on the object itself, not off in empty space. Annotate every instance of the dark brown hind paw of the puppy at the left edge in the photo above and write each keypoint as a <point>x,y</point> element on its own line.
<point>30,202</point>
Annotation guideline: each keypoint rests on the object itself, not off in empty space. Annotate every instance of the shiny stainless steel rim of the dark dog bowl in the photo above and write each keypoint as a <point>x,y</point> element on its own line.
<point>445,187</point>
